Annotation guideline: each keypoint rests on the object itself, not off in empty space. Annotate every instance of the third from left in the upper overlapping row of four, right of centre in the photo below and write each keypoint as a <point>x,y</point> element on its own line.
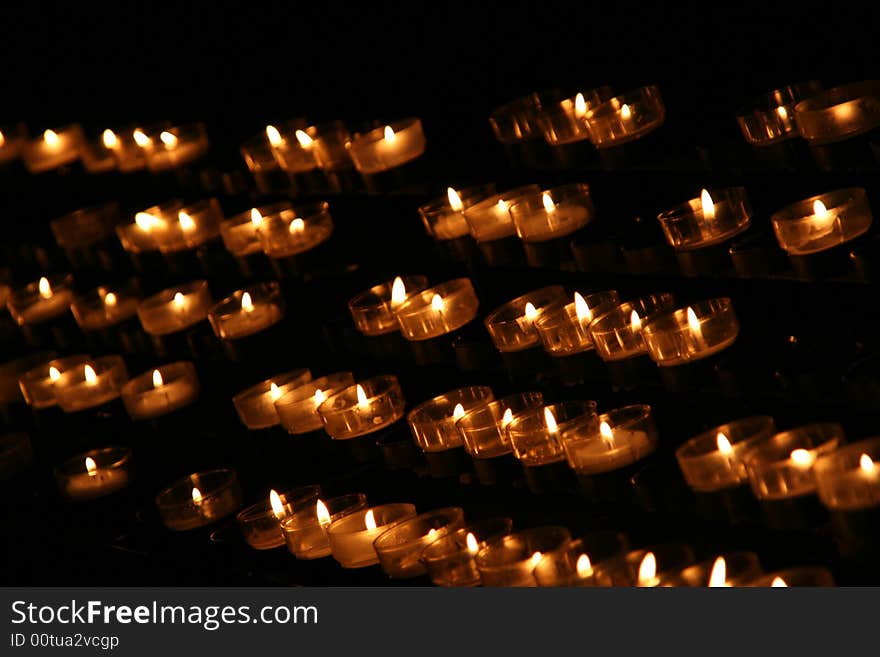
<point>617,334</point>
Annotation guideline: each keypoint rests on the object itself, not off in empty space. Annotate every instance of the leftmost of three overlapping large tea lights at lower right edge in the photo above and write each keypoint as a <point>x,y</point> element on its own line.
<point>715,459</point>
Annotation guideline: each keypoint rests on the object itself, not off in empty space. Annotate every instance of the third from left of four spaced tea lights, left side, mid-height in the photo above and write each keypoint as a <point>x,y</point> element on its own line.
<point>175,309</point>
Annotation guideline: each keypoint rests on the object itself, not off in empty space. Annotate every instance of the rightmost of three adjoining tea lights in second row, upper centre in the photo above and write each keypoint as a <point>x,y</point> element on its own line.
<point>552,213</point>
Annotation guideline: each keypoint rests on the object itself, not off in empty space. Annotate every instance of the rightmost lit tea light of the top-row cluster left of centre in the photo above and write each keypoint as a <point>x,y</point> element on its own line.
<point>388,147</point>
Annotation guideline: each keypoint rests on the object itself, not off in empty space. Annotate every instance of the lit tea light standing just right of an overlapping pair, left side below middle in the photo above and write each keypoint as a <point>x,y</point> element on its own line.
<point>161,391</point>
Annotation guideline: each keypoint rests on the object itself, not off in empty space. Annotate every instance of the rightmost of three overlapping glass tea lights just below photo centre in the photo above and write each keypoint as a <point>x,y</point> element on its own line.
<point>363,408</point>
